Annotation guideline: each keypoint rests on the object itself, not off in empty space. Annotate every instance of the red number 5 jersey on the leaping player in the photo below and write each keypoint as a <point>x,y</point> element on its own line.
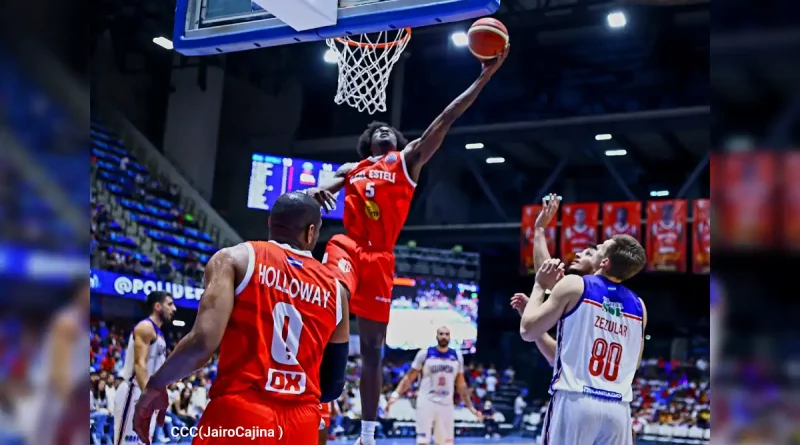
<point>378,195</point>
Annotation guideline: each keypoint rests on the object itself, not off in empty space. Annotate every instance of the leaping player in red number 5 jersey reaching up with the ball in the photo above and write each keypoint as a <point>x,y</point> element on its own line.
<point>378,196</point>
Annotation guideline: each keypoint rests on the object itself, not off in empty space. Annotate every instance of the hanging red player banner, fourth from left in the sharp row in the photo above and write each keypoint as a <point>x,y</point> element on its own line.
<point>666,235</point>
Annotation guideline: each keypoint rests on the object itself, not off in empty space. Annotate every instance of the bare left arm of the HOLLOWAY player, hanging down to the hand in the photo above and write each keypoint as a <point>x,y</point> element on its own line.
<point>195,349</point>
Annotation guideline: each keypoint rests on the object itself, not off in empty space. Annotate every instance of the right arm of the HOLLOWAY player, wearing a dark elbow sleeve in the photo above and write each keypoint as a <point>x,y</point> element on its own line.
<point>334,358</point>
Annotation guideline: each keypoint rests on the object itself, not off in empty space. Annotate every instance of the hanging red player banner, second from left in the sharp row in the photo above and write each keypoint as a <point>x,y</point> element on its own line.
<point>578,228</point>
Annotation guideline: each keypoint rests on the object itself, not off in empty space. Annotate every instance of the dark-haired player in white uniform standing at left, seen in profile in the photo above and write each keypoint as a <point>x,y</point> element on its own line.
<point>147,350</point>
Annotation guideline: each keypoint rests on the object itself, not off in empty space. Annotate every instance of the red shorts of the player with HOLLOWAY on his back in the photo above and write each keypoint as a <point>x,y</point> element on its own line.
<point>277,424</point>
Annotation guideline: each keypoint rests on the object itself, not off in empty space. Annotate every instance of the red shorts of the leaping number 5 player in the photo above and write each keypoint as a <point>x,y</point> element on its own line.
<point>367,274</point>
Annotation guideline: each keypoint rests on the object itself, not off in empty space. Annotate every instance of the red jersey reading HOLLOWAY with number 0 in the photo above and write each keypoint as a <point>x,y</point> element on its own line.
<point>285,311</point>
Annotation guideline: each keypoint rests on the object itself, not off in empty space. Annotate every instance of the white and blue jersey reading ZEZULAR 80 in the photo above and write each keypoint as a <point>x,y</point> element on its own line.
<point>599,341</point>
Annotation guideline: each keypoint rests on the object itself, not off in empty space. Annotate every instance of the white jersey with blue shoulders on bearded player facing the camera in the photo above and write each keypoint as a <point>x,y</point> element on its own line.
<point>439,371</point>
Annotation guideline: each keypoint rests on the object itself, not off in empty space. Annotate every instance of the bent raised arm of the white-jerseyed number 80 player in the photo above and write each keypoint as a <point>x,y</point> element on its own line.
<point>539,316</point>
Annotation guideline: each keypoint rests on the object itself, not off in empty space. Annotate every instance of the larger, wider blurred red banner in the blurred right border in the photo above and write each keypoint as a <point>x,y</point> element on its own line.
<point>748,189</point>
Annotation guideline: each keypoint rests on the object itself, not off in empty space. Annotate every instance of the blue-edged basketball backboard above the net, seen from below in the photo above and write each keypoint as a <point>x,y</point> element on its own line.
<point>205,27</point>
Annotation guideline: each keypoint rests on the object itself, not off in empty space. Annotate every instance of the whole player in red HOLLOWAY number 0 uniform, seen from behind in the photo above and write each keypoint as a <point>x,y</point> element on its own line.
<point>280,321</point>
